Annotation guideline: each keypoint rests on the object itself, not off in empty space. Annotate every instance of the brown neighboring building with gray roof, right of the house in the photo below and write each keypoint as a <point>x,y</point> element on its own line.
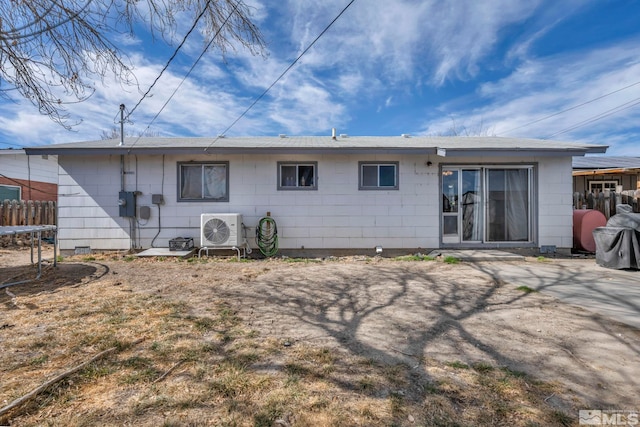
<point>597,173</point>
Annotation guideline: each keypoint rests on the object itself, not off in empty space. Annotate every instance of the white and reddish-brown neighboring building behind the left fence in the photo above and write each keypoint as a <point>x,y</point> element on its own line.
<point>25,177</point>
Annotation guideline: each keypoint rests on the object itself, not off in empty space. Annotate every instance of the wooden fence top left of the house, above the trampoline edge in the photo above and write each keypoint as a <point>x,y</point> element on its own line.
<point>27,212</point>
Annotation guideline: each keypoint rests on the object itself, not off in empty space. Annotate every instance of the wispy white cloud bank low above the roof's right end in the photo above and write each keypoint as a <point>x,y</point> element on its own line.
<point>532,100</point>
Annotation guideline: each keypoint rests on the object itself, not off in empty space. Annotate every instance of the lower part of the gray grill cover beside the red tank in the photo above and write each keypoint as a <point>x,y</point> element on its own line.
<point>617,247</point>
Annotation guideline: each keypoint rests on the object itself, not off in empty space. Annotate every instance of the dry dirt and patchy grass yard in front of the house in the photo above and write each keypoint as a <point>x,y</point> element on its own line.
<point>294,342</point>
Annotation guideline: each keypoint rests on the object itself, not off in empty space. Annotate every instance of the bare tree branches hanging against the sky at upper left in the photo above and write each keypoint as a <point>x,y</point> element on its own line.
<point>52,52</point>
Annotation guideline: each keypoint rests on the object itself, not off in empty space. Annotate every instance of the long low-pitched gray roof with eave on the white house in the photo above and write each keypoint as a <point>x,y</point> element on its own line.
<point>343,144</point>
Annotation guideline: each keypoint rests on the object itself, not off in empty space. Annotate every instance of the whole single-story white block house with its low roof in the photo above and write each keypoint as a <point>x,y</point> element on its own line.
<point>325,193</point>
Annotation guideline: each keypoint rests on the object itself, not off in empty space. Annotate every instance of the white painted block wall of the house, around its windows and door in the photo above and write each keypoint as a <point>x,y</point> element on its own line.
<point>336,216</point>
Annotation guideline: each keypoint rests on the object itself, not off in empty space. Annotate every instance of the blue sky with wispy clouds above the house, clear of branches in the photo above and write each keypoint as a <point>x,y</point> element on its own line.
<point>566,70</point>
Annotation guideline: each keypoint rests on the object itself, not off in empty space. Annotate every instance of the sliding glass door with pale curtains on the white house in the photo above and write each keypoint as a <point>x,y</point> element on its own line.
<point>486,204</point>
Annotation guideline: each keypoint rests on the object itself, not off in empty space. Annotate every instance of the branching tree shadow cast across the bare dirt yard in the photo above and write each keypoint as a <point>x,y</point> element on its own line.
<point>392,315</point>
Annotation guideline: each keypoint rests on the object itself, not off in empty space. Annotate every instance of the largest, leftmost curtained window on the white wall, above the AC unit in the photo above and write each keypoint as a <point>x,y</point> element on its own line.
<point>203,182</point>
